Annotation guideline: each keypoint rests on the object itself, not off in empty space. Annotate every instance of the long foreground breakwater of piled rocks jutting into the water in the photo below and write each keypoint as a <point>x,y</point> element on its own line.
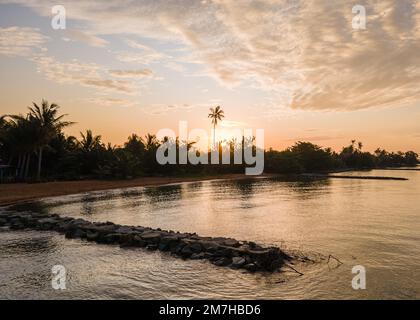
<point>223,252</point>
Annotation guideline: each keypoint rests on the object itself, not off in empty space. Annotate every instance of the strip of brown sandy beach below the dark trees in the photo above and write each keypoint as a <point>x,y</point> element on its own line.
<point>17,192</point>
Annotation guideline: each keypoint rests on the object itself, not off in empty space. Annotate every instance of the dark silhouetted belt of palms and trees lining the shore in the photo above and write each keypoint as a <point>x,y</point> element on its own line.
<point>36,148</point>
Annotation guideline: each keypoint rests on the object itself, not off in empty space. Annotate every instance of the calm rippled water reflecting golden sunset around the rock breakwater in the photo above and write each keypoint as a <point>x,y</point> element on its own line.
<point>361,222</point>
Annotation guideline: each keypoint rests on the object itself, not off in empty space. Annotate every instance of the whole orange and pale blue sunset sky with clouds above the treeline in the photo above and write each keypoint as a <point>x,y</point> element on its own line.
<point>294,68</point>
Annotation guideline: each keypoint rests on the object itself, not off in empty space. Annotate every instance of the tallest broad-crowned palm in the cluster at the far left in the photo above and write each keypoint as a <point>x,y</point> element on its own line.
<point>49,124</point>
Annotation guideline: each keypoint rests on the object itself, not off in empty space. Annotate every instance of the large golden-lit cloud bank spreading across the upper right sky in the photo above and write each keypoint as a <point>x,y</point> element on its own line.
<point>305,54</point>
